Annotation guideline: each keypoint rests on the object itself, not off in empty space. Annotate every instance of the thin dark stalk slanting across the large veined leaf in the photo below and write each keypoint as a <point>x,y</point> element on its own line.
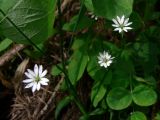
<point>20,31</point>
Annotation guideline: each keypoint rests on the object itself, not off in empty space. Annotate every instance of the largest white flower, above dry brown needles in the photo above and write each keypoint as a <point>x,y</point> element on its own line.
<point>36,78</point>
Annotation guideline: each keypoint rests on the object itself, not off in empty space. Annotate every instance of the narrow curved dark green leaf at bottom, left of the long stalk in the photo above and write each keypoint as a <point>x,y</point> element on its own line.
<point>63,103</point>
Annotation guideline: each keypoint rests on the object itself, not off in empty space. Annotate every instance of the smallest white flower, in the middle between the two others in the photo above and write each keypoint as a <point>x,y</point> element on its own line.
<point>105,59</point>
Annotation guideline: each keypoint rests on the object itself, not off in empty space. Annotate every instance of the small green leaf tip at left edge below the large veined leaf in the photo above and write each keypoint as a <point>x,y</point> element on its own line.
<point>5,44</point>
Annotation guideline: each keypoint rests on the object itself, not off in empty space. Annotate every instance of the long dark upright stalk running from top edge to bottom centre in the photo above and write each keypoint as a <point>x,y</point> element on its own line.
<point>70,87</point>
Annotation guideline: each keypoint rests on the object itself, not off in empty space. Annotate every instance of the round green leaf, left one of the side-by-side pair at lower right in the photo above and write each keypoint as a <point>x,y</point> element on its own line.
<point>119,98</point>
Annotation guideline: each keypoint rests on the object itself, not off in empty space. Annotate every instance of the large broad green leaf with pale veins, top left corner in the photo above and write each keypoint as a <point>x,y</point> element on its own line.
<point>33,18</point>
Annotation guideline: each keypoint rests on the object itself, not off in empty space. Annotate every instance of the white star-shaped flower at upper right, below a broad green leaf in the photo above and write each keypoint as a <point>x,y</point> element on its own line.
<point>121,24</point>
